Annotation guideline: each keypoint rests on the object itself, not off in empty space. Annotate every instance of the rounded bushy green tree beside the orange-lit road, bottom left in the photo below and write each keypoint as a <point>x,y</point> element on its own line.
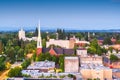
<point>15,72</point>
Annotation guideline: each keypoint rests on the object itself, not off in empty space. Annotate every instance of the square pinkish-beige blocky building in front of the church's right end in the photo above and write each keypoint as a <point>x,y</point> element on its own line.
<point>71,64</point>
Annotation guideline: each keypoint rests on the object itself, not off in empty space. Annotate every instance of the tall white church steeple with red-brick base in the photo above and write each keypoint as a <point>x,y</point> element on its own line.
<point>39,42</point>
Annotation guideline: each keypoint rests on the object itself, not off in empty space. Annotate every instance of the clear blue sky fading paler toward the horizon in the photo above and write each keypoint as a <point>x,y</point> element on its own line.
<point>65,14</point>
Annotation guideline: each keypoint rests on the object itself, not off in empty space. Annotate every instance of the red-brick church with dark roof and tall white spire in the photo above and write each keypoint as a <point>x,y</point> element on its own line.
<point>52,50</point>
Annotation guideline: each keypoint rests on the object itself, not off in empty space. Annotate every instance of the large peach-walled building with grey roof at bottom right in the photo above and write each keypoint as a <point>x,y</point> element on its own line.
<point>93,71</point>
